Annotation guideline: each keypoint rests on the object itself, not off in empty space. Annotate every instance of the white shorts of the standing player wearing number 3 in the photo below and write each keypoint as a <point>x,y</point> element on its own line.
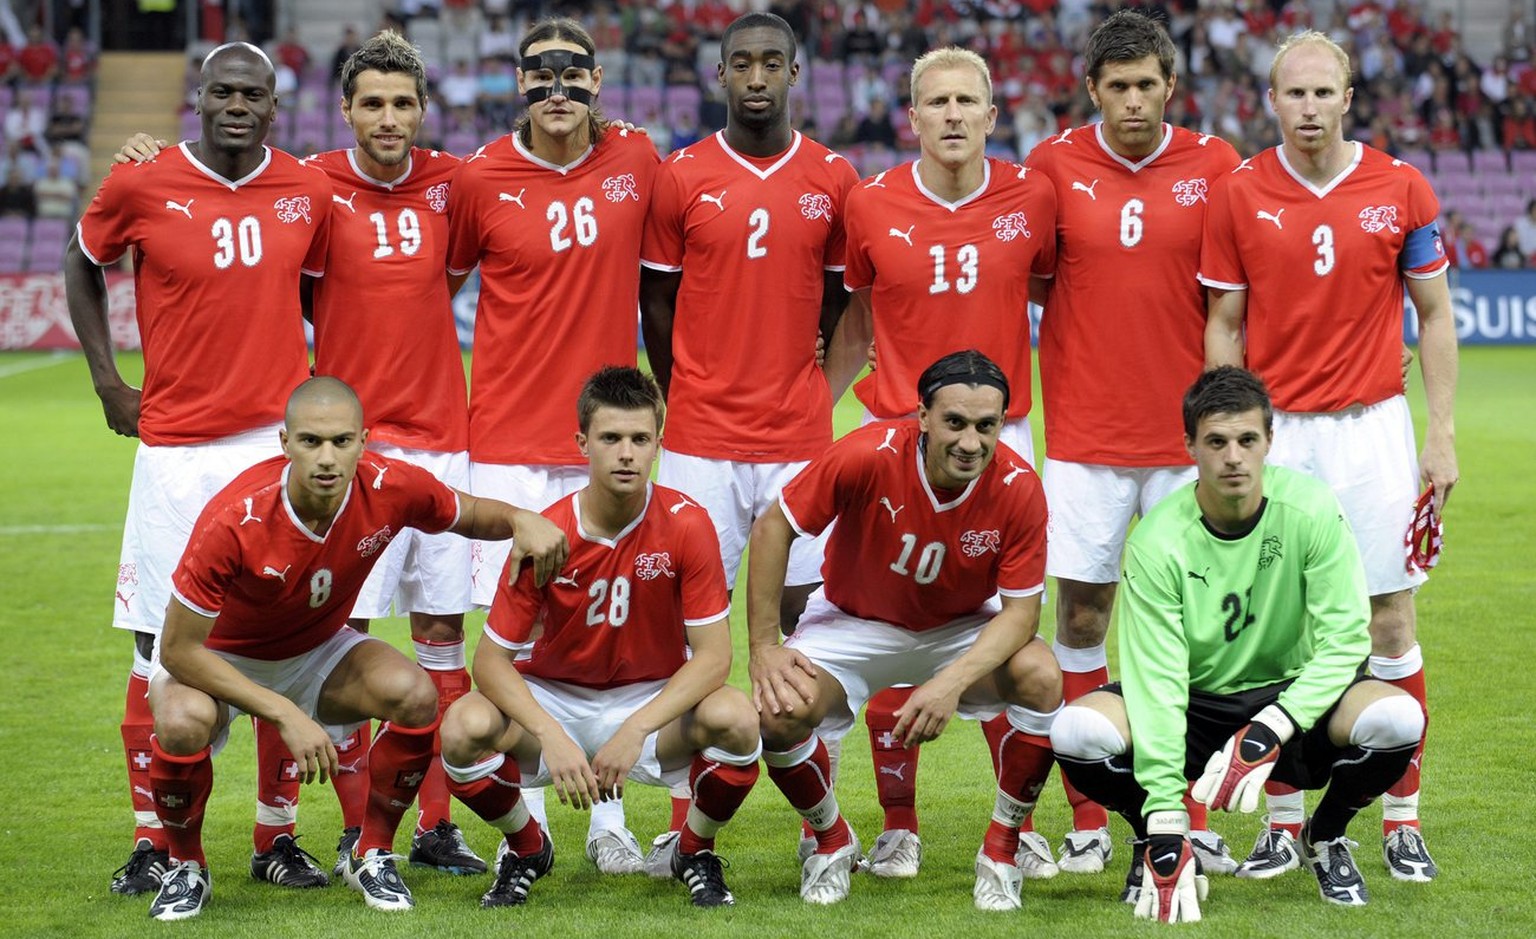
<point>1369,459</point>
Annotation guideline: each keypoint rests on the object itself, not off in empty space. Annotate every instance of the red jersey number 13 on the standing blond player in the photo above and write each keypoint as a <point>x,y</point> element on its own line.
<point>948,276</point>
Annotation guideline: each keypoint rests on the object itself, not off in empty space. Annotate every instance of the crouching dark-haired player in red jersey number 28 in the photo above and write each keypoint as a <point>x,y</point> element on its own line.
<point>612,691</point>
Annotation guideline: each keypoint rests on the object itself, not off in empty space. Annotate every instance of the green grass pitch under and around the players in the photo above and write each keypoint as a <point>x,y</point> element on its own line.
<point>64,483</point>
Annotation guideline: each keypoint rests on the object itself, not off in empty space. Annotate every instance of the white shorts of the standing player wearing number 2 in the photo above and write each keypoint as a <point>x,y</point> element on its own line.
<point>735,494</point>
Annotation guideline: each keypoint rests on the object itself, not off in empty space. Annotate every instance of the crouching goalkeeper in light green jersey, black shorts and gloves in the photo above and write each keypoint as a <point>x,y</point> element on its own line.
<point>1243,631</point>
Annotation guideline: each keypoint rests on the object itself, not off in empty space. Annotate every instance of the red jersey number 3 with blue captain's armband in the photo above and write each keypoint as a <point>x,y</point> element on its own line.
<point>1323,271</point>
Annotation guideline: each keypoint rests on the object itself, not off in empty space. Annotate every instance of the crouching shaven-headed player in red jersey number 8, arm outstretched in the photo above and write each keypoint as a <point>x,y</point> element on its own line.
<point>259,623</point>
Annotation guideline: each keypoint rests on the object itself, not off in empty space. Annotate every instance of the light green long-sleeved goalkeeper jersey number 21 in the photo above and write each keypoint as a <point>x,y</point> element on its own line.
<point>1225,614</point>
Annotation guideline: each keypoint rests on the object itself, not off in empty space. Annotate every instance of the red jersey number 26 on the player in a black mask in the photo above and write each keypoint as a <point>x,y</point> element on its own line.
<point>560,254</point>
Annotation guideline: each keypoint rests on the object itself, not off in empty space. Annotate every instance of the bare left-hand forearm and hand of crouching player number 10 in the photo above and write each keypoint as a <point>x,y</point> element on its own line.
<point>783,679</point>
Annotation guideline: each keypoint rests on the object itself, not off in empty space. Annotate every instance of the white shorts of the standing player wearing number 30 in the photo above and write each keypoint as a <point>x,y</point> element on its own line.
<point>170,491</point>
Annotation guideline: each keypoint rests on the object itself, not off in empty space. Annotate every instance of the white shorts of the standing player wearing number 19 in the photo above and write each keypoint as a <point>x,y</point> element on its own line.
<point>419,572</point>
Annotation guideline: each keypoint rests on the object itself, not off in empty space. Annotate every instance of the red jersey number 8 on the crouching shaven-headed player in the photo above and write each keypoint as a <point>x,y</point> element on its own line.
<point>276,588</point>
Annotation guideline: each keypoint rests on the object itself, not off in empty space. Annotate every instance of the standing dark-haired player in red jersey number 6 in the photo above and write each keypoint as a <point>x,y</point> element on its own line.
<point>1131,196</point>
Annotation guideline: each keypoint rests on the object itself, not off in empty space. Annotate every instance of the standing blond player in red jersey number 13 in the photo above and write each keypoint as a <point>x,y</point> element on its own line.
<point>959,236</point>
